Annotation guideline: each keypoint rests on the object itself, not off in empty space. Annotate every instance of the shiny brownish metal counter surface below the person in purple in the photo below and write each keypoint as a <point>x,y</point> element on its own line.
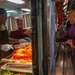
<point>64,64</point>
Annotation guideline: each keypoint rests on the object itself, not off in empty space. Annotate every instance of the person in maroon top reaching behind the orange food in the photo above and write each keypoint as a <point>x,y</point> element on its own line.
<point>21,33</point>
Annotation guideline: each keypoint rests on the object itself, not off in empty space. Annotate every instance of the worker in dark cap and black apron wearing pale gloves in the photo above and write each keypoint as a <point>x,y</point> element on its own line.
<point>6,43</point>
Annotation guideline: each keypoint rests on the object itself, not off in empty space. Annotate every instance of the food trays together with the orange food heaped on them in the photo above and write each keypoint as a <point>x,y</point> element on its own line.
<point>20,60</point>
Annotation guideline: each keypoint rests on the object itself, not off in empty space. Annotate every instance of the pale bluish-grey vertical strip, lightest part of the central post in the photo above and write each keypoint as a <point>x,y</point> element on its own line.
<point>52,36</point>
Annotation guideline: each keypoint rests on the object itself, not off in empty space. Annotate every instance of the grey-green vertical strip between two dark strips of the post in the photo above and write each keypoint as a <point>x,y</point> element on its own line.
<point>40,39</point>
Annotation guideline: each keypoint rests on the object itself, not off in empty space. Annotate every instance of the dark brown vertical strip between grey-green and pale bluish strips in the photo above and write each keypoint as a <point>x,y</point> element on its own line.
<point>45,38</point>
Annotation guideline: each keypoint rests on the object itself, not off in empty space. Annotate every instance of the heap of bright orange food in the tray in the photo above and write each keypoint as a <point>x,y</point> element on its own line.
<point>23,54</point>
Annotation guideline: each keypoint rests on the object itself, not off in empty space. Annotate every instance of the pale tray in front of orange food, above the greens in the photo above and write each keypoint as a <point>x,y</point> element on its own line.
<point>17,69</point>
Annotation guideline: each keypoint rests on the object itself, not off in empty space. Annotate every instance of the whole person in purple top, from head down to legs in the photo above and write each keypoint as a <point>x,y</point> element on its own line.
<point>69,37</point>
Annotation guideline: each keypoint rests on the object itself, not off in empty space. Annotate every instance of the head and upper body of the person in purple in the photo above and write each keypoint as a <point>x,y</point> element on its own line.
<point>69,36</point>
